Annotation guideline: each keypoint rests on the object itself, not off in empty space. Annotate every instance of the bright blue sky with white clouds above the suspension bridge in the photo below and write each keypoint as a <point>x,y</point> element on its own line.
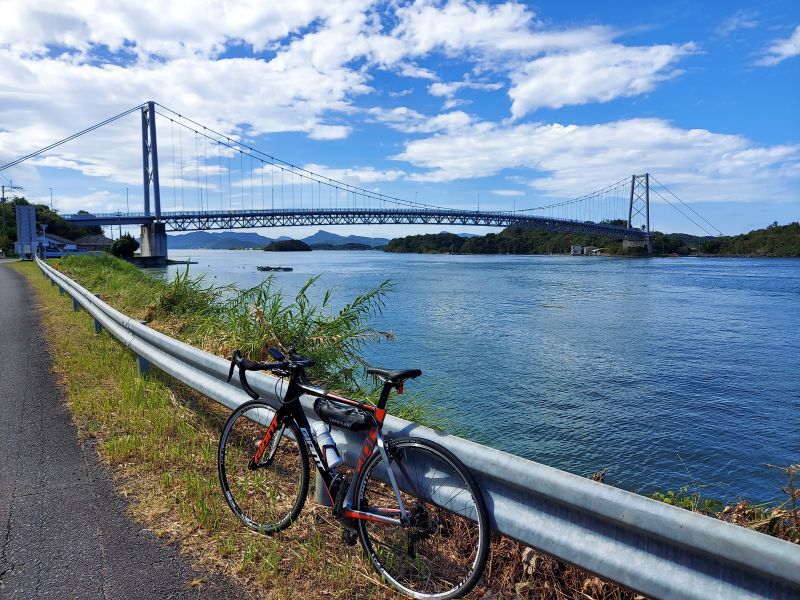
<point>459,103</point>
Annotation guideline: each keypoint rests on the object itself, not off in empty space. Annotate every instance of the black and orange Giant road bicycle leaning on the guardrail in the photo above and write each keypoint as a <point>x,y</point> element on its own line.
<point>422,521</point>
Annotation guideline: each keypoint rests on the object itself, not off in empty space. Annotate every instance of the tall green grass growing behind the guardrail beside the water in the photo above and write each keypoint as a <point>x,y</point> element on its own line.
<point>220,319</point>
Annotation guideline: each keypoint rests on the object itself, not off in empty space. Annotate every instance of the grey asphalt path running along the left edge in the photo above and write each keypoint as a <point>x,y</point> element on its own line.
<point>64,531</point>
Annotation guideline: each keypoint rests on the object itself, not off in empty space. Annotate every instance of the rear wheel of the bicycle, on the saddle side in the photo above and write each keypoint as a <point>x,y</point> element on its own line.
<point>442,551</point>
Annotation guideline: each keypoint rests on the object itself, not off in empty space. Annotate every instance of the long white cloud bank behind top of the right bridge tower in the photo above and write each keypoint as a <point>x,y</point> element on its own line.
<point>573,159</point>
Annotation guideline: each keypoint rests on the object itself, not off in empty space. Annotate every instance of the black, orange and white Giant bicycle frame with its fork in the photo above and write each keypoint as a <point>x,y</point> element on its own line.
<point>291,410</point>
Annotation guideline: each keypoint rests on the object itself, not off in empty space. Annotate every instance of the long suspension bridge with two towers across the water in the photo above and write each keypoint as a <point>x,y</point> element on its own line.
<point>215,181</point>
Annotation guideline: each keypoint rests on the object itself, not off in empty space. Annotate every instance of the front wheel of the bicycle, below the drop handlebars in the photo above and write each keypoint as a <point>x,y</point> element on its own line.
<point>266,496</point>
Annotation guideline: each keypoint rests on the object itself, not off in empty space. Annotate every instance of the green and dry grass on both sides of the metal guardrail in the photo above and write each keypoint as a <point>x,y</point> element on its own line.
<point>160,439</point>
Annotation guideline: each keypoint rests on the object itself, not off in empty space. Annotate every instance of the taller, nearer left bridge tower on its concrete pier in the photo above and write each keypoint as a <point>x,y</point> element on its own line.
<point>154,234</point>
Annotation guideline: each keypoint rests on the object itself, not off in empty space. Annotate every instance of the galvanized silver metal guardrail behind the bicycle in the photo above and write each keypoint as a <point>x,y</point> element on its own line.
<point>654,548</point>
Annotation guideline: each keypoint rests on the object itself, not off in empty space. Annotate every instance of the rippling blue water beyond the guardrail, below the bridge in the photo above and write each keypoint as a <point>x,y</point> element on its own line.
<point>669,372</point>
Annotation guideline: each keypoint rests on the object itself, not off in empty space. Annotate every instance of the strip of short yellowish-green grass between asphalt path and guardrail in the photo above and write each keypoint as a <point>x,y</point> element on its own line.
<point>160,438</point>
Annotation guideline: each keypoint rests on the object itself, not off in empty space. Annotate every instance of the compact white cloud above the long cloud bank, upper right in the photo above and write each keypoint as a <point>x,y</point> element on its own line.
<point>596,75</point>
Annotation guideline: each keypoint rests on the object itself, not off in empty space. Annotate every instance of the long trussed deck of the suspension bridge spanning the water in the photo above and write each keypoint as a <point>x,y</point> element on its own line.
<point>209,219</point>
